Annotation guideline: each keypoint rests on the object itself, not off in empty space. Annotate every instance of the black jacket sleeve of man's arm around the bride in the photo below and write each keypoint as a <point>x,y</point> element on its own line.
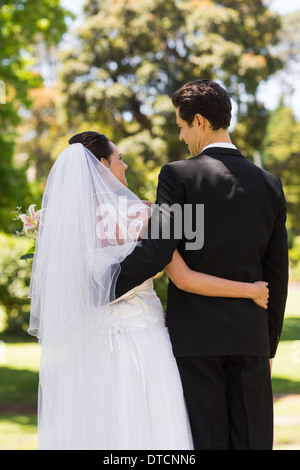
<point>156,249</point>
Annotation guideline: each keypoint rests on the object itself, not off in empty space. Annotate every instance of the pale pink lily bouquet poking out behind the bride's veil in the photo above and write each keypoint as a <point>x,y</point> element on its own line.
<point>30,228</point>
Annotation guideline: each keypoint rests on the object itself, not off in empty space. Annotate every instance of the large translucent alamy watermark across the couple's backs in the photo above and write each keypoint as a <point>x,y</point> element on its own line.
<point>166,222</point>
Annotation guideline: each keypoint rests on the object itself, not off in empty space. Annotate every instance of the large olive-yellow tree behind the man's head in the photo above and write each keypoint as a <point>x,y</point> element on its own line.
<point>129,57</point>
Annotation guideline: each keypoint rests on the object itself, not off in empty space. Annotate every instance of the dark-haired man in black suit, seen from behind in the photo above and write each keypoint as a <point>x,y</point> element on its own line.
<point>222,346</point>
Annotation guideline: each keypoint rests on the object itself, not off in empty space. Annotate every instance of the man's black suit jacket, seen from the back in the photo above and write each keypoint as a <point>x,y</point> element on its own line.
<point>244,239</point>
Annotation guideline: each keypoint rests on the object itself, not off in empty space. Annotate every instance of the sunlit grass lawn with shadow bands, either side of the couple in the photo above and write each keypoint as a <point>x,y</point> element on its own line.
<point>19,365</point>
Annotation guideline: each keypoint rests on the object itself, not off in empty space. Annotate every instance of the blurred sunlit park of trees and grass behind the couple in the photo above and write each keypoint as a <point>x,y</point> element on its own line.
<point>111,66</point>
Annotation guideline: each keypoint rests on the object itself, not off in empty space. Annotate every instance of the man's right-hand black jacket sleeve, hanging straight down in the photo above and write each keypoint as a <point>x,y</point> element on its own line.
<point>275,271</point>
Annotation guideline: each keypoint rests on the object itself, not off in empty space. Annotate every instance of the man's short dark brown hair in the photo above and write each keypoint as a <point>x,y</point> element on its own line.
<point>206,98</point>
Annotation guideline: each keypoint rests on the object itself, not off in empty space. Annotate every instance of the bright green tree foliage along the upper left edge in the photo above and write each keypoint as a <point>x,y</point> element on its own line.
<point>22,27</point>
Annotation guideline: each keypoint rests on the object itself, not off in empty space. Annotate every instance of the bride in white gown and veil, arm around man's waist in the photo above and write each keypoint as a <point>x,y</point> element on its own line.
<point>108,378</point>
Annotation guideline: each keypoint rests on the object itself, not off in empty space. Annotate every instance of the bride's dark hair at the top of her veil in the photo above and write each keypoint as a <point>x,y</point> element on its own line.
<point>97,143</point>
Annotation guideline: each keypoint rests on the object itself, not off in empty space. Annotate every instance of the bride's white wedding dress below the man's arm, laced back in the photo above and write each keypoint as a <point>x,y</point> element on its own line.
<point>139,403</point>
